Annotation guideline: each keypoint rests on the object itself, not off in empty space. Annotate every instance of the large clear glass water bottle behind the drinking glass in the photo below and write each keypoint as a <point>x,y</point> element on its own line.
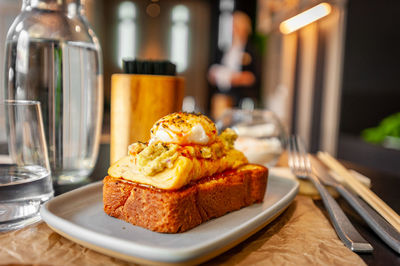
<point>53,56</point>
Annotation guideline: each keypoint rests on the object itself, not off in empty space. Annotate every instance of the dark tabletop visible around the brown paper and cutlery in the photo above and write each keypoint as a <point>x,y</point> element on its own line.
<point>385,185</point>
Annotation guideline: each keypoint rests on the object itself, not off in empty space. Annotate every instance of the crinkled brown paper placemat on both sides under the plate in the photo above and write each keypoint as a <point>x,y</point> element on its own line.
<point>300,236</point>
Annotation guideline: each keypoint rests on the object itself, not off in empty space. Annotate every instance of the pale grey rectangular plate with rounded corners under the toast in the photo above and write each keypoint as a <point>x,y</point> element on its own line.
<point>78,215</point>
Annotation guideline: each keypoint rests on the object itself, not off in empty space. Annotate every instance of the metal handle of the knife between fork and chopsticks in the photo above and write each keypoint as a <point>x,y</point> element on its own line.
<point>376,222</point>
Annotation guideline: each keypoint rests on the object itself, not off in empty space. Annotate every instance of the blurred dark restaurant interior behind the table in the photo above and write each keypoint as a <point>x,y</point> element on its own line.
<point>331,74</point>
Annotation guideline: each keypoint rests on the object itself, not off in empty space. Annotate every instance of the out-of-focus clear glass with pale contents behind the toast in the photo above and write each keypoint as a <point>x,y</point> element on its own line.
<point>261,136</point>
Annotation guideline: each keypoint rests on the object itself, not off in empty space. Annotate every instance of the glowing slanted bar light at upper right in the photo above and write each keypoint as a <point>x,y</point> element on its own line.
<point>305,18</point>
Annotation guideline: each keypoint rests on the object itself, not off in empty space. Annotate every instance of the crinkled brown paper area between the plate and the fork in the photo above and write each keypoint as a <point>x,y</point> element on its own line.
<point>300,236</point>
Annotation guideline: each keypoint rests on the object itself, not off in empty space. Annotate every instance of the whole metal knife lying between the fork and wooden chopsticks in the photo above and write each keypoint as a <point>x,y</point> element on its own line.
<point>376,222</point>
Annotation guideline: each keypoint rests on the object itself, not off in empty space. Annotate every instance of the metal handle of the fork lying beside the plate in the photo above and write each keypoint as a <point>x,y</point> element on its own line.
<point>343,227</point>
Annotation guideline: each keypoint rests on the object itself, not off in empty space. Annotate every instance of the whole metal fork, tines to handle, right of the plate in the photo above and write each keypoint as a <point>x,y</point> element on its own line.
<point>300,165</point>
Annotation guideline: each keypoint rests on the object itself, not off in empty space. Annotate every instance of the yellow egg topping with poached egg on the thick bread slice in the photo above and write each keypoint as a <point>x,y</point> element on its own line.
<point>180,158</point>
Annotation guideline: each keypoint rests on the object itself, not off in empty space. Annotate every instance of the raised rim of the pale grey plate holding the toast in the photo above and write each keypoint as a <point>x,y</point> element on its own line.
<point>164,254</point>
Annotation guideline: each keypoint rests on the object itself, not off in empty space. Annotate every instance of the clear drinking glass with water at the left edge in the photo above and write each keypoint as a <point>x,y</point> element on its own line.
<point>25,180</point>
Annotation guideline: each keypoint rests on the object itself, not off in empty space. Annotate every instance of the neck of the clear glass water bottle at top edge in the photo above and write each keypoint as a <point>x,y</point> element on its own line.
<point>70,6</point>
